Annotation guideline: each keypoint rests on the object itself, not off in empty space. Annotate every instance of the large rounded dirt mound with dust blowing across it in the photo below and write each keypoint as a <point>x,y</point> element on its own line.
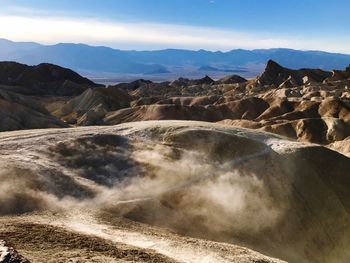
<point>286,199</point>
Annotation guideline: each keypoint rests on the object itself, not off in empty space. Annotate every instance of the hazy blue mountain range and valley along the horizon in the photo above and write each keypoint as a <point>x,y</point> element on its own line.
<point>98,62</point>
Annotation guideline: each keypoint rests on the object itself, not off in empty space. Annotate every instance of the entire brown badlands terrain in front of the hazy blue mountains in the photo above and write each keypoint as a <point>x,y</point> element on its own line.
<point>166,189</point>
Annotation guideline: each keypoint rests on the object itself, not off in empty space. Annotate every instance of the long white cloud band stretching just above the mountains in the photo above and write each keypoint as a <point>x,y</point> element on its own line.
<point>51,30</point>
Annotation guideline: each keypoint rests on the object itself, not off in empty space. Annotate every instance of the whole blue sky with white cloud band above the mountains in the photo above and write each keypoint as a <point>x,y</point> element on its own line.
<point>189,24</point>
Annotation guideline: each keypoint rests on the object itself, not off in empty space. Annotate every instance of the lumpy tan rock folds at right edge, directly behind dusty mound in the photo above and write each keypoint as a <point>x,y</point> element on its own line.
<point>318,122</point>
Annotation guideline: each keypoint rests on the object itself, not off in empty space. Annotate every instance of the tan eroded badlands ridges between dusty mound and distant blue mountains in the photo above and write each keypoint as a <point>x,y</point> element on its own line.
<point>307,104</point>
